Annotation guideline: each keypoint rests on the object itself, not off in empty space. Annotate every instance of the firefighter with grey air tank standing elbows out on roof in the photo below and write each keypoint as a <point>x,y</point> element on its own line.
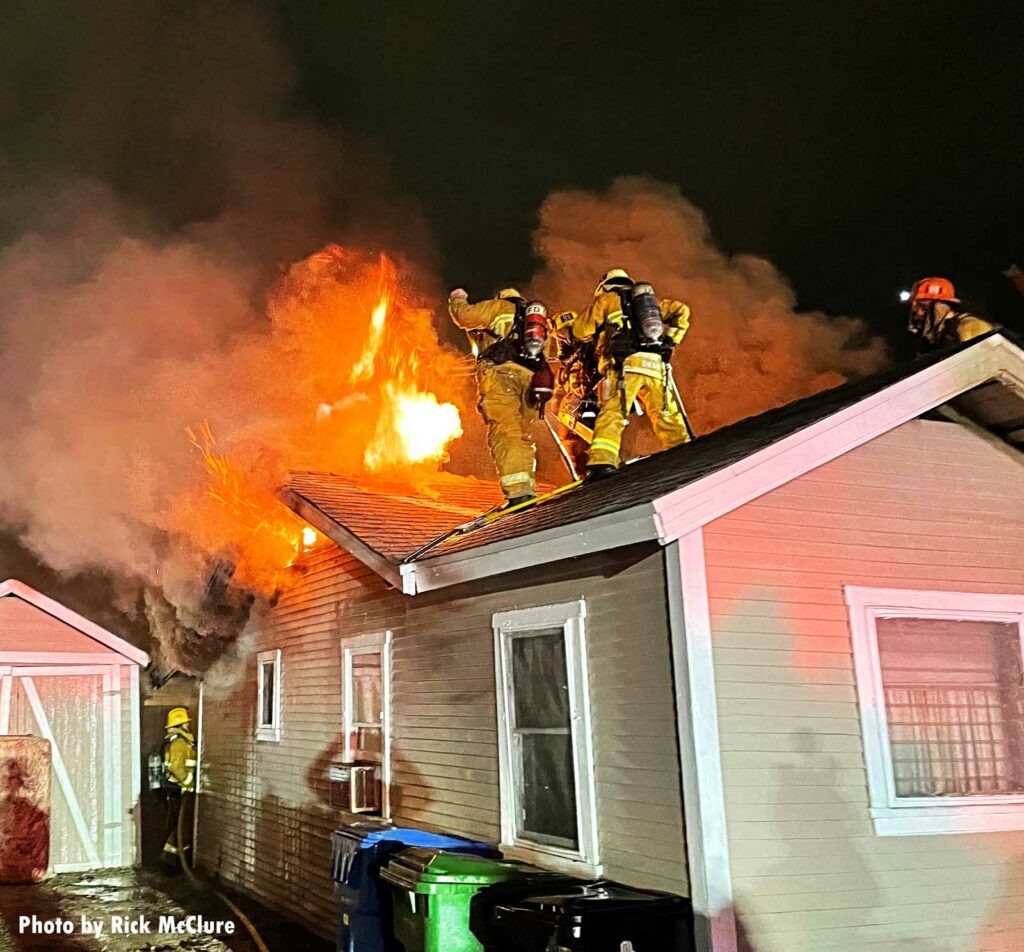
<point>635,335</point>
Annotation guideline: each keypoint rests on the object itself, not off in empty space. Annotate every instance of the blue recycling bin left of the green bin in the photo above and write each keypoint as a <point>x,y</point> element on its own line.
<point>358,853</point>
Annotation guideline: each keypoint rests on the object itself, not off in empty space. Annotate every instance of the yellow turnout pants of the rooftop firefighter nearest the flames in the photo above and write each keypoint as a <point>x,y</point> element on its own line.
<point>504,395</point>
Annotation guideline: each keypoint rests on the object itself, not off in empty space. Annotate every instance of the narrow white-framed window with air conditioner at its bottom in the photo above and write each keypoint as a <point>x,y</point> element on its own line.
<point>366,693</point>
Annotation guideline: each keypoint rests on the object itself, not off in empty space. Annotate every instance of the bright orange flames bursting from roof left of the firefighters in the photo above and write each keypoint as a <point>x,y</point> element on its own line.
<point>353,380</point>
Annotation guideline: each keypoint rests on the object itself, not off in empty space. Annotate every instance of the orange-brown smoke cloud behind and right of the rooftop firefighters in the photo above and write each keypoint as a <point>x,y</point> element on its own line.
<point>749,349</point>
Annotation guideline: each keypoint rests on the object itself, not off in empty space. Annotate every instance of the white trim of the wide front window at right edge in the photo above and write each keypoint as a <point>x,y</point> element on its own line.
<point>906,816</point>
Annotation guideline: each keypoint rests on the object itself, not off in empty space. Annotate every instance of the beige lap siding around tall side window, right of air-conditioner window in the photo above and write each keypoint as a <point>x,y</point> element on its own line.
<point>452,782</point>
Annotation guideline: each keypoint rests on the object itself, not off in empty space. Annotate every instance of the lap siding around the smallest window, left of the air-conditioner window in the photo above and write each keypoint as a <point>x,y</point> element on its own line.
<point>265,819</point>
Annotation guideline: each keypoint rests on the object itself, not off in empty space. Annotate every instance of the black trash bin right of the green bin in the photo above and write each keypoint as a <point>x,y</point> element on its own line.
<point>601,917</point>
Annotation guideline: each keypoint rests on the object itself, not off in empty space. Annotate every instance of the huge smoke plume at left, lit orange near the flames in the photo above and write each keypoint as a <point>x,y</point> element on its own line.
<point>158,184</point>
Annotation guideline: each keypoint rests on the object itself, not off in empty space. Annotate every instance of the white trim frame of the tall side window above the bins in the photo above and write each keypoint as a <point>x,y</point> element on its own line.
<point>571,618</point>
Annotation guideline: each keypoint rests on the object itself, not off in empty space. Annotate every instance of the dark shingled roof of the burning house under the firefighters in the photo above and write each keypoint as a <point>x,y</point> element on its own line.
<point>397,527</point>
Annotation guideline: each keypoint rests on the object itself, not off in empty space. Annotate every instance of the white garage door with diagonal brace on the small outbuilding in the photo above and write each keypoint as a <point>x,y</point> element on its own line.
<point>73,708</point>
